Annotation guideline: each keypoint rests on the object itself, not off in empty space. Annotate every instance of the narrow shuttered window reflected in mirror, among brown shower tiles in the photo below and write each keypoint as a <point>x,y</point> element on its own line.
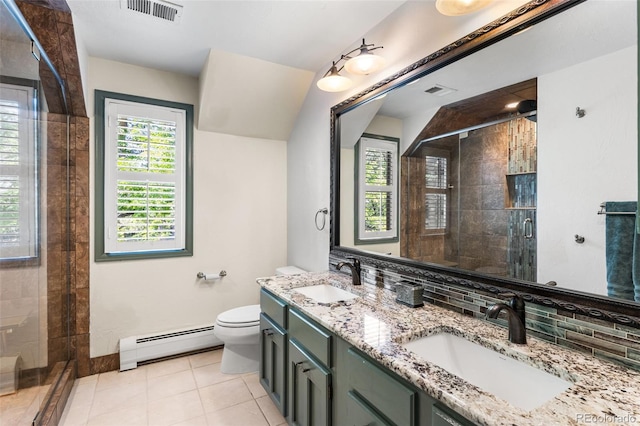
<point>435,194</point>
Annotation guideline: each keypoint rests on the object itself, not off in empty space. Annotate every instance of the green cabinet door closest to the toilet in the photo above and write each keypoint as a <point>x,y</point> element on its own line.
<point>273,362</point>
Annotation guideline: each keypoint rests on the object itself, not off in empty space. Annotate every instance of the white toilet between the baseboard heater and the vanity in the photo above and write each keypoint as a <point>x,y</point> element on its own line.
<point>239,330</point>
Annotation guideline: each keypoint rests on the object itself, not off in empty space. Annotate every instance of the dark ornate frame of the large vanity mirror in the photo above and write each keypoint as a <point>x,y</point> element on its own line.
<point>595,306</point>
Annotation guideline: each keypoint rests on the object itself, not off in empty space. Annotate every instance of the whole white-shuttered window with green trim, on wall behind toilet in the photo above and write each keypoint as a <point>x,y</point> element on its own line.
<point>143,177</point>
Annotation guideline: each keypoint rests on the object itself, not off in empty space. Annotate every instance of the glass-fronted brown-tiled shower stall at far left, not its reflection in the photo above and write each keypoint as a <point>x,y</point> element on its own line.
<point>36,254</point>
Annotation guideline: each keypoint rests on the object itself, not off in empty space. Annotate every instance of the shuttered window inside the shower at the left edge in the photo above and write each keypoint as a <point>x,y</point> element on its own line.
<point>19,232</point>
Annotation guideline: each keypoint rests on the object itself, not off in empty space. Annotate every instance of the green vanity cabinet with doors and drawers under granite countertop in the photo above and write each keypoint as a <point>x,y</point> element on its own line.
<point>316,378</point>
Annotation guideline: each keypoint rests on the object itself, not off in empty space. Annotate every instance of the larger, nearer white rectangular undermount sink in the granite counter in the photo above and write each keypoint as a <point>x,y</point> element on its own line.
<point>520,384</point>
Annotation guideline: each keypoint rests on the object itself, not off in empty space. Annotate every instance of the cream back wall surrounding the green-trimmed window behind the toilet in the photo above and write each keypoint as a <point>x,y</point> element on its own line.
<point>239,225</point>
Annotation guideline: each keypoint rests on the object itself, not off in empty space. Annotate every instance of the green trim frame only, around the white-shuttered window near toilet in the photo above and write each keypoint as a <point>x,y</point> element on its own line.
<point>101,253</point>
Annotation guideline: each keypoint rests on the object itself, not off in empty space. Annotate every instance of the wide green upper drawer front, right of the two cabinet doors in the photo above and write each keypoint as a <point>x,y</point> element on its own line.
<point>381,390</point>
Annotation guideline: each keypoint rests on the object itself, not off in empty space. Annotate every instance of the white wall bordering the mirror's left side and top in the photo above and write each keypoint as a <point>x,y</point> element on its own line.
<point>406,38</point>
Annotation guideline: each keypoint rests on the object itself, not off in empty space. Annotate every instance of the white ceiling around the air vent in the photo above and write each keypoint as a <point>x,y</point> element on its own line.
<point>304,34</point>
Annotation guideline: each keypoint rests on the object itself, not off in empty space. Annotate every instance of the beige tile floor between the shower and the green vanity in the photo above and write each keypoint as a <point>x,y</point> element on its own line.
<point>182,391</point>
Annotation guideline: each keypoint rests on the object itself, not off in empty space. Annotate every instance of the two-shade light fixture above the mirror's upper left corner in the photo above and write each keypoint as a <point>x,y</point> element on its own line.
<point>364,63</point>
